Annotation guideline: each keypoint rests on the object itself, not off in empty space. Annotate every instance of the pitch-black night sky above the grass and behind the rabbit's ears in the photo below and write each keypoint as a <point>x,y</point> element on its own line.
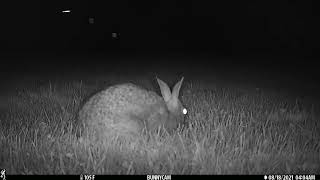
<point>278,37</point>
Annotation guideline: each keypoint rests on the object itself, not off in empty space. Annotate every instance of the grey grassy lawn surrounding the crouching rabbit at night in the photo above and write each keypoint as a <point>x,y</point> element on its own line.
<point>228,131</point>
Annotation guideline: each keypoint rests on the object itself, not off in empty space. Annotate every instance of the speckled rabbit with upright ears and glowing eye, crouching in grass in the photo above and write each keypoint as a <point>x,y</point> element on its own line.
<point>127,109</point>
